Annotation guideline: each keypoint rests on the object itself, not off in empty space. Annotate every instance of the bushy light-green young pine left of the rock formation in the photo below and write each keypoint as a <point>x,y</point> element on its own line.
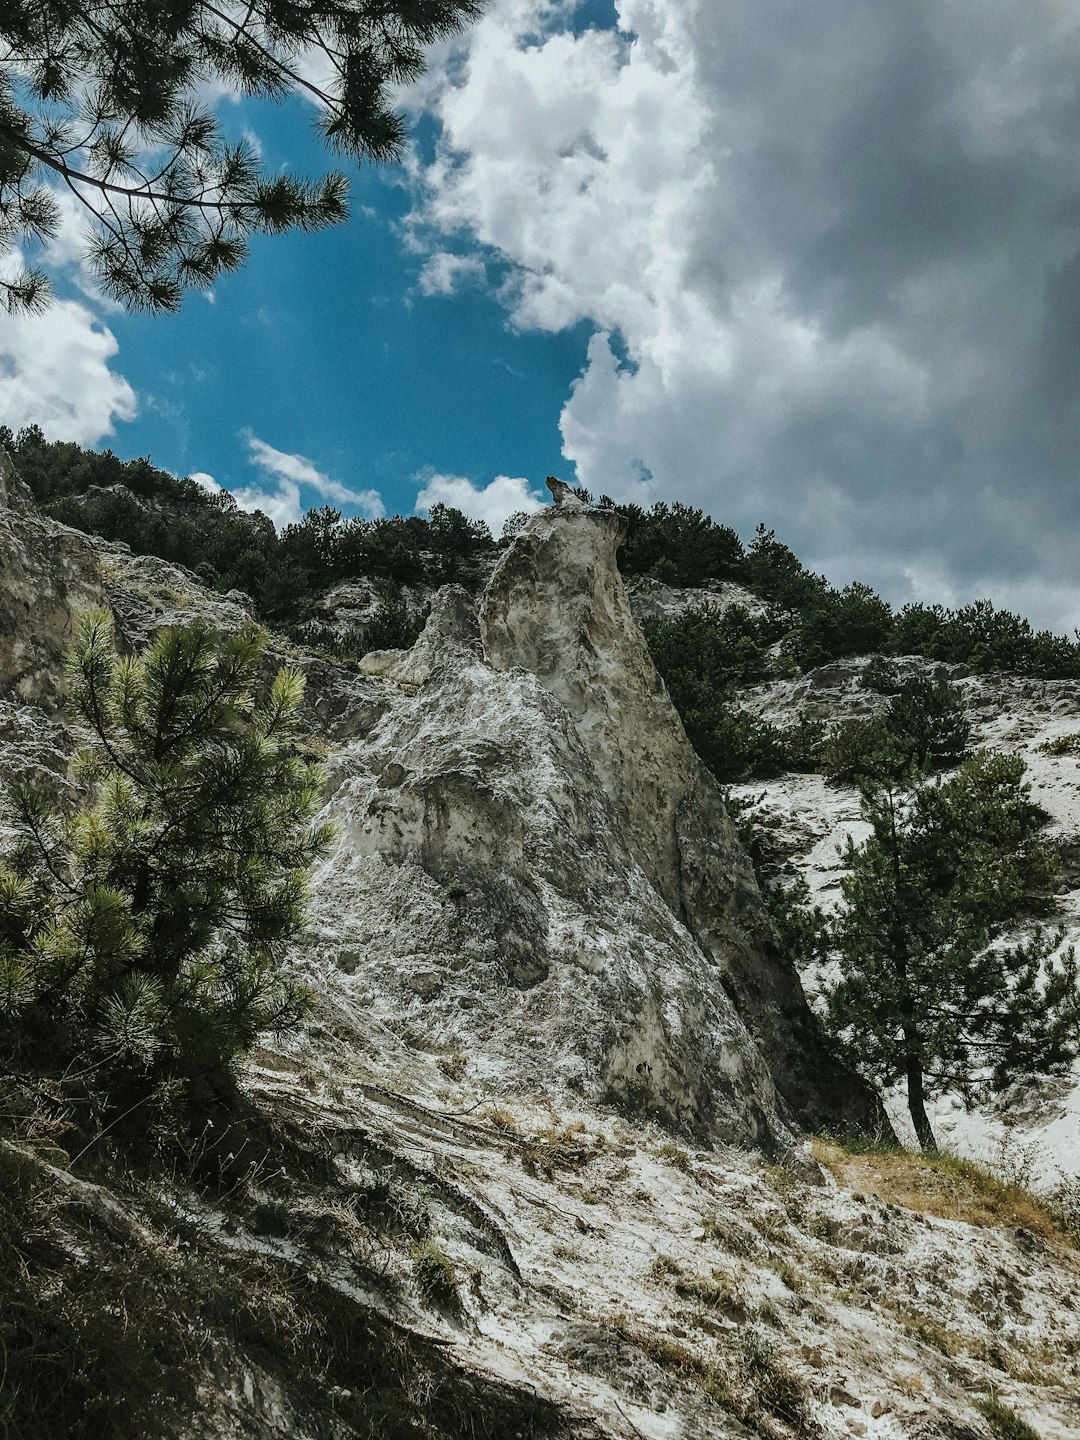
<point>145,928</point>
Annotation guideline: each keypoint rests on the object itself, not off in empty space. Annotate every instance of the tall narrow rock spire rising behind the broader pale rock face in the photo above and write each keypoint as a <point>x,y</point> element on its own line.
<point>558,607</point>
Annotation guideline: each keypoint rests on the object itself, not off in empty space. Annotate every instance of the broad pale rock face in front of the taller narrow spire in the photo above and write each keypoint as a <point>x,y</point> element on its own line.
<point>483,894</point>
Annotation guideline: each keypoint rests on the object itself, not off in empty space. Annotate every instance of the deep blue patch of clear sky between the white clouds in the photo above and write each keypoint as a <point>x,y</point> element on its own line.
<point>325,346</point>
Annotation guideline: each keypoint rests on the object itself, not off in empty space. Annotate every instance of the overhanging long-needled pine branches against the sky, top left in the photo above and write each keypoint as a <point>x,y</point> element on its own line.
<point>103,100</point>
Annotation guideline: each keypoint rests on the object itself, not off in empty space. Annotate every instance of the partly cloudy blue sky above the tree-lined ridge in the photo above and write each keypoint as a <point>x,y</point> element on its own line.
<point>809,263</point>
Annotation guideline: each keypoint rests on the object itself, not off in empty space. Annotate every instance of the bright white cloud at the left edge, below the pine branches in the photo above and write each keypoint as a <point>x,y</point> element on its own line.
<point>55,372</point>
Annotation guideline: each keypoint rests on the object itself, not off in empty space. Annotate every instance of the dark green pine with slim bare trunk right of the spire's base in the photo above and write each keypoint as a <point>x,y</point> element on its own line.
<point>927,993</point>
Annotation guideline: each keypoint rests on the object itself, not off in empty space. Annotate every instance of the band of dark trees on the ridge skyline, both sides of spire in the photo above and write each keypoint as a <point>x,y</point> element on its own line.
<point>809,621</point>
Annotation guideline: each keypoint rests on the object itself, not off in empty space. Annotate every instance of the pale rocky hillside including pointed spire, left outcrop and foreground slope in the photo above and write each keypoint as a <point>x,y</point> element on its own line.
<point>538,1167</point>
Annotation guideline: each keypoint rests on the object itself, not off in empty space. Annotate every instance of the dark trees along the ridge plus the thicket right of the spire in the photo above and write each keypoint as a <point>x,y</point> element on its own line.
<point>706,654</point>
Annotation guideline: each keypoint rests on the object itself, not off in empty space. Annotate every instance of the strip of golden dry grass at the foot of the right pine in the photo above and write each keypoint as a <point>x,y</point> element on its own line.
<point>942,1186</point>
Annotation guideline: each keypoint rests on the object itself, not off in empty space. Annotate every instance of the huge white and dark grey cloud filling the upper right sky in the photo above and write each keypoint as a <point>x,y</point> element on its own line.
<point>832,264</point>
